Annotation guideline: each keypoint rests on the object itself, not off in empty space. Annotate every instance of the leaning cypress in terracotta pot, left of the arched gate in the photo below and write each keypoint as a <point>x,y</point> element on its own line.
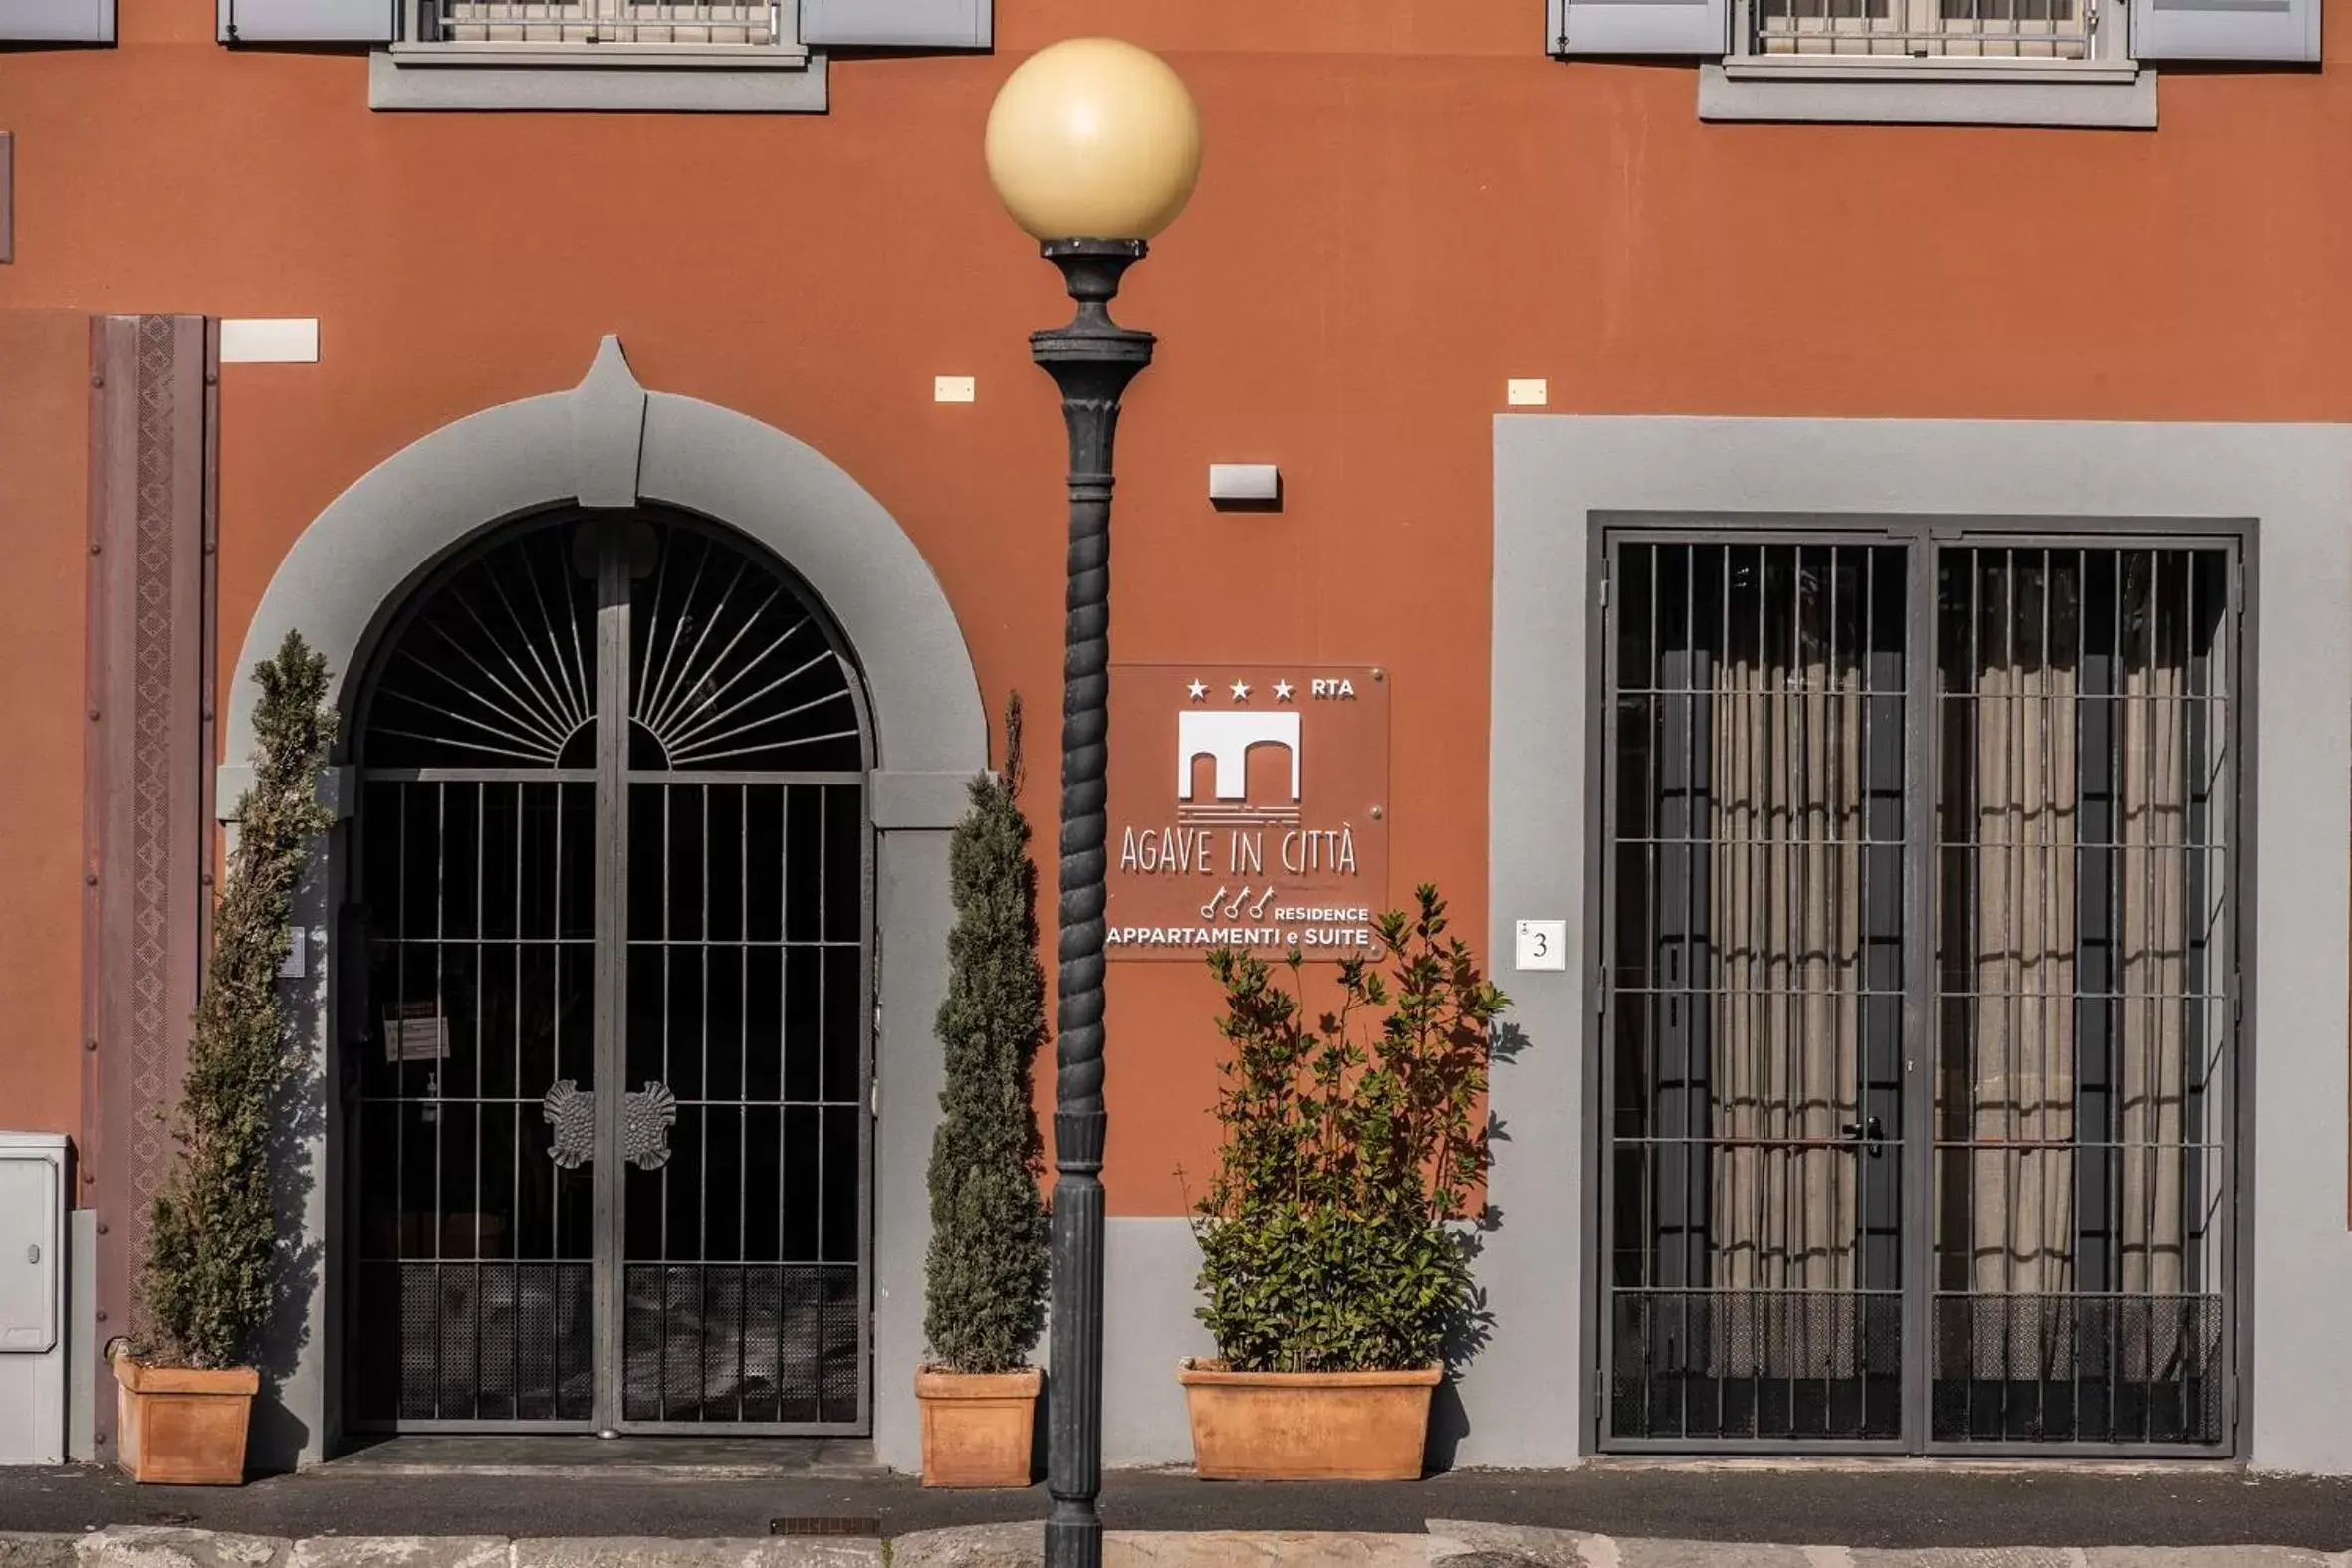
<point>187,1383</point>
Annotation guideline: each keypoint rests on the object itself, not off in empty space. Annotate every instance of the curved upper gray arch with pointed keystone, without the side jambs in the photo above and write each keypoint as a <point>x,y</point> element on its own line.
<point>610,443</point>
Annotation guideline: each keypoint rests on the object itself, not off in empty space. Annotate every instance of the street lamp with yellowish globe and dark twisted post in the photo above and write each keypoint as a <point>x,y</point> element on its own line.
<point>1093,147</point>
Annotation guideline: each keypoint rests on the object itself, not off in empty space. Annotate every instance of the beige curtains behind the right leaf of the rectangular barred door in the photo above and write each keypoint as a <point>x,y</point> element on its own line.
<point>2012,1141</point>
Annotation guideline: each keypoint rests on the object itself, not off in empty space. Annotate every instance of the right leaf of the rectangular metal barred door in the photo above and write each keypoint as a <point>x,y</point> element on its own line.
<point>2019,1355</point>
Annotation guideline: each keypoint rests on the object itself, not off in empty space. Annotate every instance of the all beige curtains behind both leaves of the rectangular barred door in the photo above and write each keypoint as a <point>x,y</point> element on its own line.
<point>1784,1019</point>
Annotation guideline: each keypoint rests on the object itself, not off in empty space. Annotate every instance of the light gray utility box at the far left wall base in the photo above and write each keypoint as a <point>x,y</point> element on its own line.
<point>32,1299</point>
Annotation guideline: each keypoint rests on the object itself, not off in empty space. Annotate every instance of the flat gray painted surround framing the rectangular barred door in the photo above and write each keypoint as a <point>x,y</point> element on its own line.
<point>1528,1395</point>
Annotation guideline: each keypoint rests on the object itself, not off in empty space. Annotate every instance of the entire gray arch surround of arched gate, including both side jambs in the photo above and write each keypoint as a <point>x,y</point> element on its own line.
<point>608,443</point>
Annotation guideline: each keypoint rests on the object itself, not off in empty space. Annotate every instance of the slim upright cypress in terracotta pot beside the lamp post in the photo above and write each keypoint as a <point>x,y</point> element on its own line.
<point>987,1271</point>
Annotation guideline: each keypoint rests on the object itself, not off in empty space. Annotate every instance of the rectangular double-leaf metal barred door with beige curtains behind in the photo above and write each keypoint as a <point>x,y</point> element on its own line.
<point>1918,993</point>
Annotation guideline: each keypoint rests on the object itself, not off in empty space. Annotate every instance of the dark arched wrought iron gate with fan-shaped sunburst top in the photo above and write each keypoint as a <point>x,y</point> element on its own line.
<point>608,1083</point>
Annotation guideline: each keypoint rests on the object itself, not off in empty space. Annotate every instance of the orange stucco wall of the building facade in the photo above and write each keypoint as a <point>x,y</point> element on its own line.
<point>1403,206</point>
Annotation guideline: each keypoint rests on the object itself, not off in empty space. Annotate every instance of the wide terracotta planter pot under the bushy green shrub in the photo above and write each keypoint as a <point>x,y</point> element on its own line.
<point>1307,1426</point>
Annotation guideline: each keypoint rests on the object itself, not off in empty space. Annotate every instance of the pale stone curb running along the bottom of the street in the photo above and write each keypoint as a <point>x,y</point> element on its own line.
<point>1450,1543</point>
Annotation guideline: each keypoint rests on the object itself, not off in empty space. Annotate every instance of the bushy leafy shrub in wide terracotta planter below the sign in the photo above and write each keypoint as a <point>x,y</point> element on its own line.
<point>1330,1268</point>
